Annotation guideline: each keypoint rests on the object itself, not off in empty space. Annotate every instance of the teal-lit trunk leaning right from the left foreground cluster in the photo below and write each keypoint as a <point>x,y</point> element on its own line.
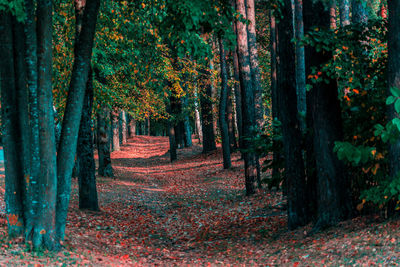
<point>73,113</point>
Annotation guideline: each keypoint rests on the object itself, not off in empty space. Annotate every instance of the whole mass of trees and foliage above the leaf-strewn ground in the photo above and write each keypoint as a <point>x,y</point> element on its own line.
<point>307,91</point>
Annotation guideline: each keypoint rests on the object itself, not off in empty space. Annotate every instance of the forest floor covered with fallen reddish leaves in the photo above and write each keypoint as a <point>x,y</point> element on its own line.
<point>192,212</point>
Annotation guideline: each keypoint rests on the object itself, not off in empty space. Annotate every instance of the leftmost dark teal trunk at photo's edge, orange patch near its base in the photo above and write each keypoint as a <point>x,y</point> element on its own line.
<point>11,130</point>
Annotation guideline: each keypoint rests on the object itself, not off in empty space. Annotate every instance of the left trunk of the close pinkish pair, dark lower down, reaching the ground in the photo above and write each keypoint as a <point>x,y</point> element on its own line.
<point>248,111</point>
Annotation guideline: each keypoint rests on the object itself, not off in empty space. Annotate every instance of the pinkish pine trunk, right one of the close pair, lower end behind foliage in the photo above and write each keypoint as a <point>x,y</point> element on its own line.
<point>255,68</point>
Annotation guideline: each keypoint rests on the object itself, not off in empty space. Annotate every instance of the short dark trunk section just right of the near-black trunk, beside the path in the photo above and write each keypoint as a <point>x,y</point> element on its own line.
<point>103,143</point>
